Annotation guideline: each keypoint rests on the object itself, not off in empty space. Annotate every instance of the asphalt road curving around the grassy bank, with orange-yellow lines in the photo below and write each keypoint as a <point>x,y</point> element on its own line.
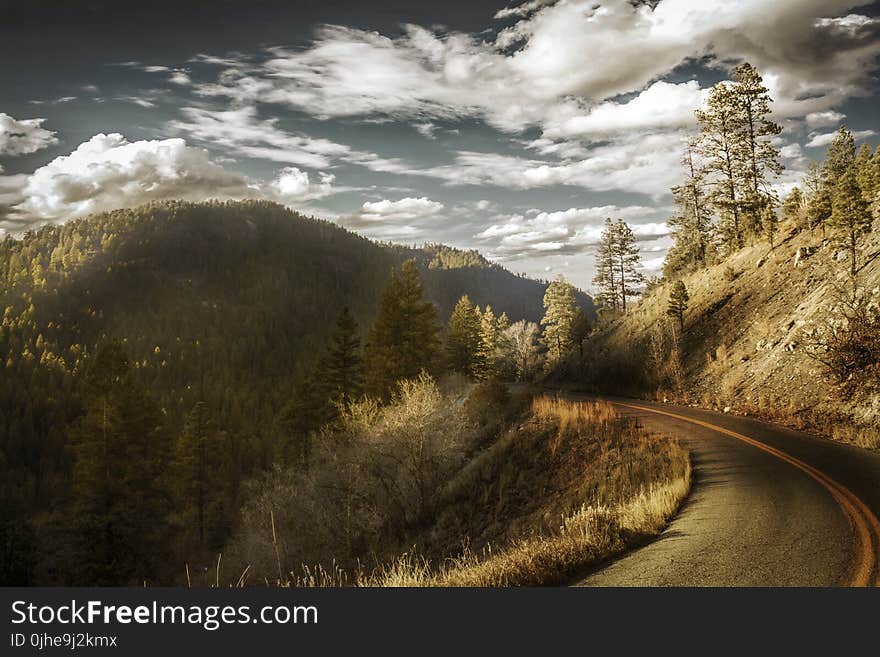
<point>769,507</point>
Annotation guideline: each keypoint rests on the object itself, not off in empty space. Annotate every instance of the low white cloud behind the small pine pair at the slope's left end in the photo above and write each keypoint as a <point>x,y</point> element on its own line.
<point>571,231</point>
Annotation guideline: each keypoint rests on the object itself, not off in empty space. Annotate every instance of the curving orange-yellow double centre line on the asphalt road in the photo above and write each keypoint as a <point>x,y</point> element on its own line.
<point>863,520</point>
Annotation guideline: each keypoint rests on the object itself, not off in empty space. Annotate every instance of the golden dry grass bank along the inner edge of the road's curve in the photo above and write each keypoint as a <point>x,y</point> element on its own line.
<point>633,482</point>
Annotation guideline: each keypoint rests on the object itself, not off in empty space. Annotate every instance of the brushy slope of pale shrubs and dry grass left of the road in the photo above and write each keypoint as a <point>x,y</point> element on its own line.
<point>462,486</point>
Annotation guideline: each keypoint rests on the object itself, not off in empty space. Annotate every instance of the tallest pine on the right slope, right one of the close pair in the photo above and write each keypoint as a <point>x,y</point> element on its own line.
<point>761,156</point>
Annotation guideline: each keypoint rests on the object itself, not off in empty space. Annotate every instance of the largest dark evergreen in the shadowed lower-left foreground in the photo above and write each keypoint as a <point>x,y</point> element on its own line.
<point>120,504</point>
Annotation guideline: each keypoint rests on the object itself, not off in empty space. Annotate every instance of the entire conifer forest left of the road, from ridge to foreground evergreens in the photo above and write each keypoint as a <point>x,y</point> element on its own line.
<point>157,359</point>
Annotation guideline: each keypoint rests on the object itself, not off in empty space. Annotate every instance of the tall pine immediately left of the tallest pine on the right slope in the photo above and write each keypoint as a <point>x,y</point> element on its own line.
<point>724,150</point>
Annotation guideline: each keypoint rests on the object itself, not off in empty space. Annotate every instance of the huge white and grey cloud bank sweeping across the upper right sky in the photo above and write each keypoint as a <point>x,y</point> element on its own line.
<point>570,57</point>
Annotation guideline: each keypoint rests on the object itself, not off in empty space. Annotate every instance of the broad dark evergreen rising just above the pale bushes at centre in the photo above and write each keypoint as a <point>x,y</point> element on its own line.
<point>403,340</point>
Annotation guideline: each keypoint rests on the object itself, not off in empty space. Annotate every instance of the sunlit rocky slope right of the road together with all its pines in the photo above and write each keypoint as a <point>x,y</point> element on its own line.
<point>766,306</point>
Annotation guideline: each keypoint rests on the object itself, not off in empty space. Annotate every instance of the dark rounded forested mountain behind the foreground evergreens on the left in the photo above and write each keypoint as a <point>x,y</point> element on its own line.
<point>220,308</point>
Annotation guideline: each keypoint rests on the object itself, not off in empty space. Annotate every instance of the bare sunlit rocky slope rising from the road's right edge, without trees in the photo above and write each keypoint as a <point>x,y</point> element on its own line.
<point>746,343</point>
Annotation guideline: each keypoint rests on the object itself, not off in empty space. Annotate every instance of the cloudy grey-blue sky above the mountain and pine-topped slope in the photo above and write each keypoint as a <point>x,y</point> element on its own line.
<point>513,129</point>
